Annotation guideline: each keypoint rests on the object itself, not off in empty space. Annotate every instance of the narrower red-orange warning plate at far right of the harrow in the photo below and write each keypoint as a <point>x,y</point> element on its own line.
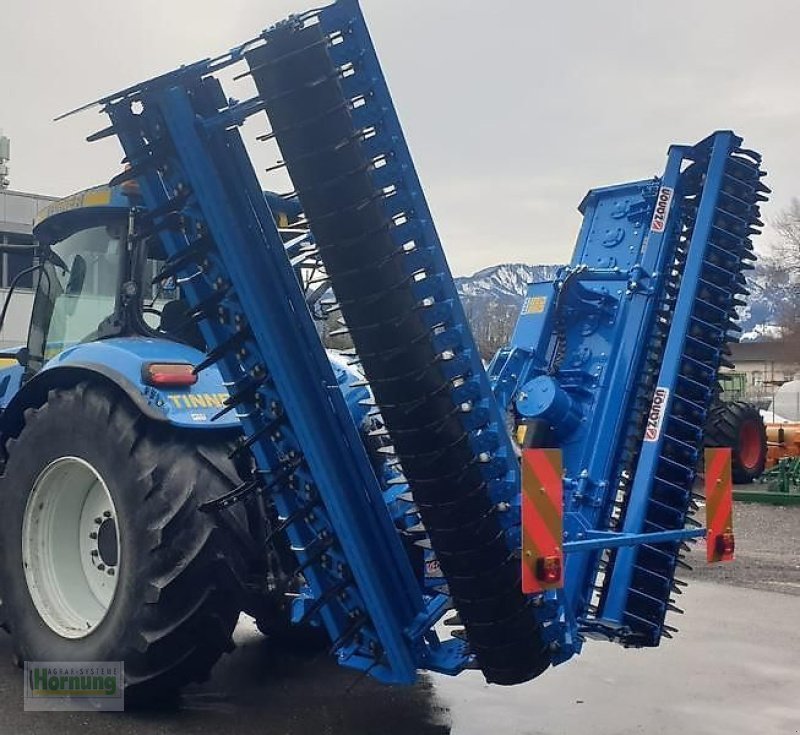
<point>719,505</point>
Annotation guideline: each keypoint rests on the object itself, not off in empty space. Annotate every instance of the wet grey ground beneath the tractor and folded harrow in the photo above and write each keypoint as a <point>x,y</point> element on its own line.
<point>733,668</point>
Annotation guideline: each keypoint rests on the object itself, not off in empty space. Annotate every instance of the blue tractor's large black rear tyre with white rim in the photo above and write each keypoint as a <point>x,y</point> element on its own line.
<point>104,554</point>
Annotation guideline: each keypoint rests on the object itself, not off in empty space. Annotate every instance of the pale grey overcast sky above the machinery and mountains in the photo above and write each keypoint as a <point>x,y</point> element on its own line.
<point>512,108</point>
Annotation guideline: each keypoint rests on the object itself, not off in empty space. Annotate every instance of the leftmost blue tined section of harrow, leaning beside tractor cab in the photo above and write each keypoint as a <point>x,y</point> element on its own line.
<point>278,375</point>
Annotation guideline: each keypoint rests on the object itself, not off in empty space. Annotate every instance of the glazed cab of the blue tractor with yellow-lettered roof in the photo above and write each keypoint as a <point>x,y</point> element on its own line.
<point>97,282</point>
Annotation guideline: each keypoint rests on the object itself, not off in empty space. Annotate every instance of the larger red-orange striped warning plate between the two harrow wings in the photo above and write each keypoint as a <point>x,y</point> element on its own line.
<point>542,520</point>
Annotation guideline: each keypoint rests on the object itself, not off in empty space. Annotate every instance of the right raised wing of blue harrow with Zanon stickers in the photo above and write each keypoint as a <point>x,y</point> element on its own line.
<point>616,363</point>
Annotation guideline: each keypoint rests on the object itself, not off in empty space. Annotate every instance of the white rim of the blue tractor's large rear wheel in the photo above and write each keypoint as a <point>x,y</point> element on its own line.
<point>70,547</point>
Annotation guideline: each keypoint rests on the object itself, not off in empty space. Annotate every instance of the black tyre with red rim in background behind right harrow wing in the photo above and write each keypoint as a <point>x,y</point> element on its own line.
<point>739,425</point>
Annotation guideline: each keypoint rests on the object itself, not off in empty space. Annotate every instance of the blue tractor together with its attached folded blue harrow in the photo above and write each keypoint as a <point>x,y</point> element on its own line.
<point>181,447</point>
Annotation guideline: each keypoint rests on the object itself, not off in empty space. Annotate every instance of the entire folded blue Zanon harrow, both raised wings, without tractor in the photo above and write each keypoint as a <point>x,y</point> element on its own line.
<point>615,362</point>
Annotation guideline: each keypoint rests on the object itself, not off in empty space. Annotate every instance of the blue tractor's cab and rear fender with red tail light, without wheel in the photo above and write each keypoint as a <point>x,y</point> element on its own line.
<point>106,307</point>
